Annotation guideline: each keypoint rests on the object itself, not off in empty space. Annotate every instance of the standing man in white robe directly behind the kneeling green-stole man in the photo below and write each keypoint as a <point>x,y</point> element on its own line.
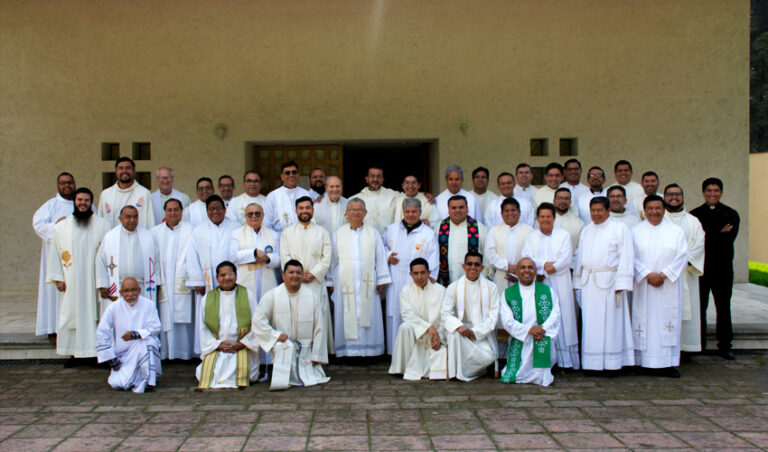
<point>550,249</point>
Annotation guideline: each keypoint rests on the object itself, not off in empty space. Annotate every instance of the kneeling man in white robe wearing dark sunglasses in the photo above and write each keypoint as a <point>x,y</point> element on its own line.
<point>469,315</point>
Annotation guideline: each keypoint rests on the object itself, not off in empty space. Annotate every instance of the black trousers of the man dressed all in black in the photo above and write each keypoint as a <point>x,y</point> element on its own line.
<point>720,283</point>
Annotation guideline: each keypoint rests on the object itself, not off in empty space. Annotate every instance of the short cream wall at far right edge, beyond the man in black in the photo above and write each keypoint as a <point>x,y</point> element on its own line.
<point>758,212</point>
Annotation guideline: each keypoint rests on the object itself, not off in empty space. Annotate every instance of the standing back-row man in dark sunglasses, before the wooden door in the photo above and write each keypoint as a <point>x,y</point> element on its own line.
<point>281,202</point>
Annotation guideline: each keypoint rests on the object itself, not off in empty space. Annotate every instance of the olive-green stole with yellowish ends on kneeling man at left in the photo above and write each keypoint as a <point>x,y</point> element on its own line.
<point>243,357</point>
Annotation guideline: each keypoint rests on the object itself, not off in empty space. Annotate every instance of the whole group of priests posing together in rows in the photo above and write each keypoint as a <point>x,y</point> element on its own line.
<point>575,276</point>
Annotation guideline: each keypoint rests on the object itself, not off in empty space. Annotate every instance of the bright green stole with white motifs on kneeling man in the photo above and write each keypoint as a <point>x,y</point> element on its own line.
<point>542,296</point>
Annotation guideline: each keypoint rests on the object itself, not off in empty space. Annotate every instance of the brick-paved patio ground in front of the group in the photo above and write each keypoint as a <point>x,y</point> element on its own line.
<point>717,405</point>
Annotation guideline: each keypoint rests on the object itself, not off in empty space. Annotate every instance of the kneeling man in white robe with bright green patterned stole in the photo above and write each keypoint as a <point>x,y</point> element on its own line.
<point>530,313</point>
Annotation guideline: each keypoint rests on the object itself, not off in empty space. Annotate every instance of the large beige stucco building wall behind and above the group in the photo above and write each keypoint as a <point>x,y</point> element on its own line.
<point>661,83</point>
